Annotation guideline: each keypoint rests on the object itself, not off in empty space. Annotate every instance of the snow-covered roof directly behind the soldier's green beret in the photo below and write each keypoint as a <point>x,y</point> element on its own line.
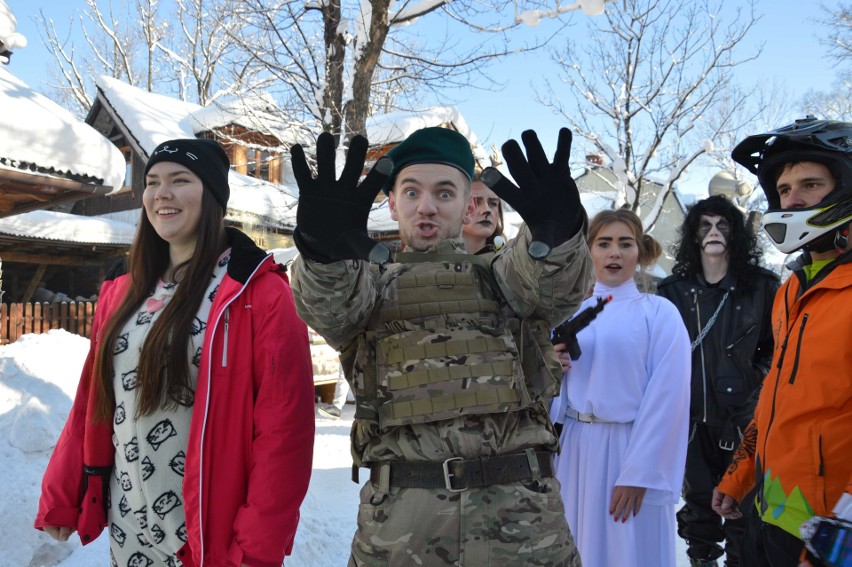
<point>396,126</point>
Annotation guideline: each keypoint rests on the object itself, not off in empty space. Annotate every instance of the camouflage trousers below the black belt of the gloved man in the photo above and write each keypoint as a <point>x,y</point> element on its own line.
<point>506,525</point>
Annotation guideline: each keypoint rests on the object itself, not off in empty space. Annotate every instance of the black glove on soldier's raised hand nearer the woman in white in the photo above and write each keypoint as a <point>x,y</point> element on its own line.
<point>548,199</point>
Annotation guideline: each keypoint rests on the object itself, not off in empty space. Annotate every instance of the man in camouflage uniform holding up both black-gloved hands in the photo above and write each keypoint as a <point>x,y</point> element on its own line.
<point>447,353</point>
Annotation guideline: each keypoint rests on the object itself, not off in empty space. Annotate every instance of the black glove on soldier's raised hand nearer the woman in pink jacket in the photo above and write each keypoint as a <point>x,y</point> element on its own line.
<point>331,221</point>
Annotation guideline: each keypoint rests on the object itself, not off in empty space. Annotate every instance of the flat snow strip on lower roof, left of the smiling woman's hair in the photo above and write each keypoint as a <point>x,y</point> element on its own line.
<point>52,225</point>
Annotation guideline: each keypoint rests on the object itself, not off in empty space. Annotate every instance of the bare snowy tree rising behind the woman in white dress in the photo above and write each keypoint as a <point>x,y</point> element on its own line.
<point>654,72</point>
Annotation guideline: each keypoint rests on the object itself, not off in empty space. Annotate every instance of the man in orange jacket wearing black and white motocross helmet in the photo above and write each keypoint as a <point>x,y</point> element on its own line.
<point>797,450</point>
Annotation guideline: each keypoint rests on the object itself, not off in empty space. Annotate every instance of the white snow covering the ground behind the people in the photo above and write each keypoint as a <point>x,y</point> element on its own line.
<point>38,378</point>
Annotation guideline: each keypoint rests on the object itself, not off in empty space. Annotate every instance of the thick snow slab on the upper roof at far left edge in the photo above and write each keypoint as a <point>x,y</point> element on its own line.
<point>38,135</point>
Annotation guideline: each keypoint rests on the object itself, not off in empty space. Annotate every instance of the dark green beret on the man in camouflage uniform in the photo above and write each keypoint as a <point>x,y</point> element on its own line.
<point>431,145</point>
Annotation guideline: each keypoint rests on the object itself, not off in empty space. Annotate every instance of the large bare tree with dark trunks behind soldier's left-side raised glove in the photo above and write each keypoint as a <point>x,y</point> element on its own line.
<point>336,62</point>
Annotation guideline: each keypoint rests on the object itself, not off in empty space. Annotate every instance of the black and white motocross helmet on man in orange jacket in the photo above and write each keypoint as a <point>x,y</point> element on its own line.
<point>828,142</point>
